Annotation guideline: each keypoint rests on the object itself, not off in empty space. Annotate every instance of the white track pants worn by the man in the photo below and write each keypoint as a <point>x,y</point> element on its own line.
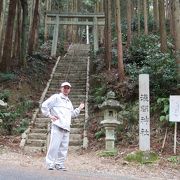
<point>58,147</point>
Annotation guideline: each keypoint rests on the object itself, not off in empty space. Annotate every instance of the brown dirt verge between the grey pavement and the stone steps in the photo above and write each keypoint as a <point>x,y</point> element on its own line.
<point>89,161</point>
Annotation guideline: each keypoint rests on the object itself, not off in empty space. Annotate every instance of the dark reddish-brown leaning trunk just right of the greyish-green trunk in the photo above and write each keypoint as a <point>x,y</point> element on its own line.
<point>34,28</point>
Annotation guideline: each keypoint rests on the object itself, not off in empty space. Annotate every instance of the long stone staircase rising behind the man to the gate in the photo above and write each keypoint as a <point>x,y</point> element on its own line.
<point>73,67</point>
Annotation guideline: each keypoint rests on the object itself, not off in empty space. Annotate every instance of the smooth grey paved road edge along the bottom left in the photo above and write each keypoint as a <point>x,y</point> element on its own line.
<point>13,173</point>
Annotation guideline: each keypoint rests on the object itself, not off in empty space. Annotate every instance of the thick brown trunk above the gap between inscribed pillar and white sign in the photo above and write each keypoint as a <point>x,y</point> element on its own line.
<point>162,26</point>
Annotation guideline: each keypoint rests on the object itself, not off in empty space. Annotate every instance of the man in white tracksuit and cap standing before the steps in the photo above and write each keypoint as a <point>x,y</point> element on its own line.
<point>60,110</point>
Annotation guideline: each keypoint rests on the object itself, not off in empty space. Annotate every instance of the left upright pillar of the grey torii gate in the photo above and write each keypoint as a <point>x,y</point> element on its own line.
<point>55,37</point>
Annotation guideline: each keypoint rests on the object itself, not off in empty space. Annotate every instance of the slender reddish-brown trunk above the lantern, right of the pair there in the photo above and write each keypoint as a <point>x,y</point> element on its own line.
<point>119,42</point>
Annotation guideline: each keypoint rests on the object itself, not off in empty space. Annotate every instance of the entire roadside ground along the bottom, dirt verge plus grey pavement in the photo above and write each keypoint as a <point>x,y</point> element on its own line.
<point>81,166</point>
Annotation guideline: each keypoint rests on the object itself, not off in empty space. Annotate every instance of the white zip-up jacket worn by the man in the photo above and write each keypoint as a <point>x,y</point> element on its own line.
<point>60,106</point>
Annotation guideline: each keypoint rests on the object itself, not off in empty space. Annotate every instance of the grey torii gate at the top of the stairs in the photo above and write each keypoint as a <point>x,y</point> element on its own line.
<point>90,19</point>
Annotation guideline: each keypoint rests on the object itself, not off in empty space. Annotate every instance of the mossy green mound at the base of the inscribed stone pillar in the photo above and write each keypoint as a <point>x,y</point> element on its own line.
<point>142,157</point>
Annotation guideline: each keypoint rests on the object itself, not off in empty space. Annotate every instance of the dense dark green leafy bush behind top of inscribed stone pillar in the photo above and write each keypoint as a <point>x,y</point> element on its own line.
<point>145,57</point>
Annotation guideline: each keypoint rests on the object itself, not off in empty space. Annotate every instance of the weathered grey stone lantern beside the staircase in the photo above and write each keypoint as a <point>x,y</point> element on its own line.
<point>110,109</point>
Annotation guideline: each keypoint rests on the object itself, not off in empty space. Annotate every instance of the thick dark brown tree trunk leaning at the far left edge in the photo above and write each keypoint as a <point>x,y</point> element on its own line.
<point>5,64</point>
